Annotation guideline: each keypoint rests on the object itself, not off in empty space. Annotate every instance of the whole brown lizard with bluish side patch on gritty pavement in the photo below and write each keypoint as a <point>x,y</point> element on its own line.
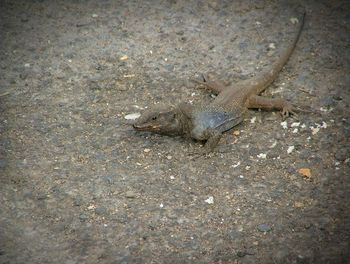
<point>208,122</point>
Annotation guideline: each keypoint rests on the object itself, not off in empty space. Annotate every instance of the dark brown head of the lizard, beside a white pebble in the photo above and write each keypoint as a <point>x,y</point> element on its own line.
<point>161,120</point>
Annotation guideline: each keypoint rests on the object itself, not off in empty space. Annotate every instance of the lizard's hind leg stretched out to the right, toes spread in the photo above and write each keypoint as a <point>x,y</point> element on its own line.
<point>286,108</point>
